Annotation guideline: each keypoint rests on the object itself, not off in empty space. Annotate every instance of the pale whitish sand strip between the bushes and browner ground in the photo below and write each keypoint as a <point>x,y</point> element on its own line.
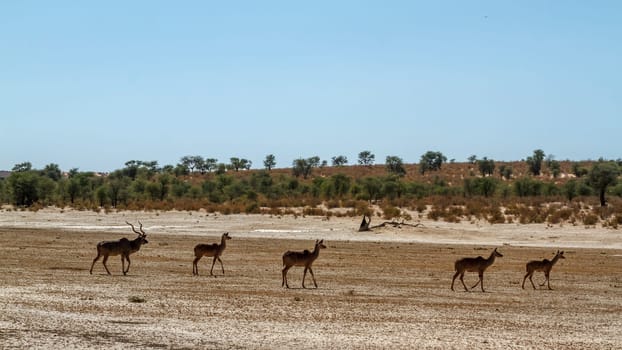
<point>201,223</point>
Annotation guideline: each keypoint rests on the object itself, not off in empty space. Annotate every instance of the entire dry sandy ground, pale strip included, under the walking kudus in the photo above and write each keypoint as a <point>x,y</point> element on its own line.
<point>382,289</point>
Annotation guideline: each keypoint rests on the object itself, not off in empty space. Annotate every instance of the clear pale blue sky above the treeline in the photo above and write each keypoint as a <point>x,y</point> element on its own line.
<point>91,85</point>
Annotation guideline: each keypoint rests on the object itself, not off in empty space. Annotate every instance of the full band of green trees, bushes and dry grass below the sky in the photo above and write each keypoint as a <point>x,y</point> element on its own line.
<point>538,189</point>
